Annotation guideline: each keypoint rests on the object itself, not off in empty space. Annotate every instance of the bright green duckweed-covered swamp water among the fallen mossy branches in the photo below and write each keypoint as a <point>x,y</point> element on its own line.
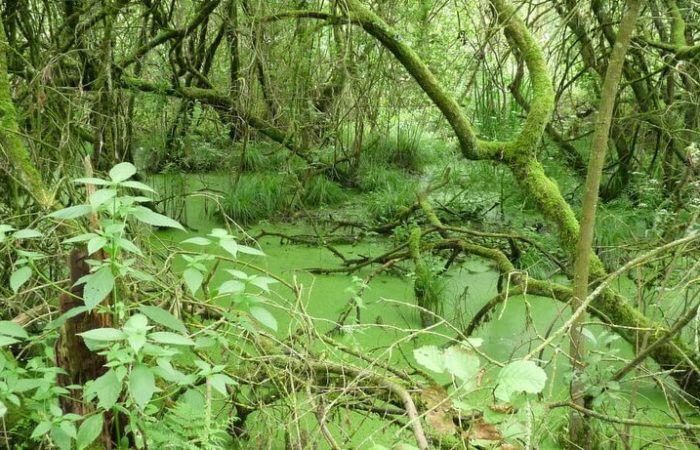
<point>390,328</point>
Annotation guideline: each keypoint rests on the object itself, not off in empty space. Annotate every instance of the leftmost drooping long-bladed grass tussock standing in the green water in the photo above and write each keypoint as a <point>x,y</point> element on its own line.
<point>258,196</point>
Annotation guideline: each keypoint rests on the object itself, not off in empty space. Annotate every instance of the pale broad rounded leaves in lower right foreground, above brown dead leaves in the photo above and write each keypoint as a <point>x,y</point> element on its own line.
<point>513,389</point>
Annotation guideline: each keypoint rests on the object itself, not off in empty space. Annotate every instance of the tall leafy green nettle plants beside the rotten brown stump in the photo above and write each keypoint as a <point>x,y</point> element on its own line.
<point>150,354</point>
